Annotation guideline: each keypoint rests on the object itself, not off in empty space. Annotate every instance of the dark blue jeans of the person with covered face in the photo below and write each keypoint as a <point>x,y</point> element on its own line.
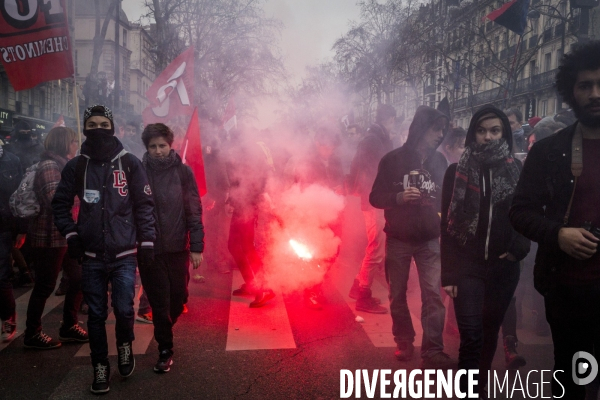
<point>94,283</point>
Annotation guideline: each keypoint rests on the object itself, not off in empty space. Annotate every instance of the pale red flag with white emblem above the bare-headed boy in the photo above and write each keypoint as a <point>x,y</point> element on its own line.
<point>171,94</point>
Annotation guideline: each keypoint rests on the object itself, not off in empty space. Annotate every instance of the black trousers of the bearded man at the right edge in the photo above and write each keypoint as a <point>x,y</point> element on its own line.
<point>574,318</point>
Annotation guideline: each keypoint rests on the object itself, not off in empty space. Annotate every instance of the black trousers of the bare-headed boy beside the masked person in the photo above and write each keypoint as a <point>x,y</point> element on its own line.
<point>165,282</point>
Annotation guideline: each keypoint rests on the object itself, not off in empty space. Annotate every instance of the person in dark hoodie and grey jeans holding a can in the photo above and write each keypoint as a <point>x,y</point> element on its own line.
<point>408,189</point>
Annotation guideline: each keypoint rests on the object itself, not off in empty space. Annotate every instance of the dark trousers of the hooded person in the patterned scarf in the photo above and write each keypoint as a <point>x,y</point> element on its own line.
<point>480,305</point>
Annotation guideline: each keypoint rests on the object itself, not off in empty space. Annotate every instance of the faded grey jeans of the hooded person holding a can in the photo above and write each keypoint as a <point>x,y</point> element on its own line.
<point>398,256</point>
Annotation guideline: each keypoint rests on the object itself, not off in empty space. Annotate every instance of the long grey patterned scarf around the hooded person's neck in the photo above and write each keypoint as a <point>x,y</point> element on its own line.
<point>463,213</point>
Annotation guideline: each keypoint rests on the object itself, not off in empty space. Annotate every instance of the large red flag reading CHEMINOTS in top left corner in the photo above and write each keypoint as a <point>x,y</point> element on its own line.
<point>34,42</point>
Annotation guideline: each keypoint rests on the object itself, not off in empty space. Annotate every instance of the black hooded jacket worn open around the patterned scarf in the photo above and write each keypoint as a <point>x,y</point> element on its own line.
<point>460,260</point>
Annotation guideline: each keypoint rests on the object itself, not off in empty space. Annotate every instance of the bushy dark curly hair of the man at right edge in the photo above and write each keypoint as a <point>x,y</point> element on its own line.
<point>584,57</point>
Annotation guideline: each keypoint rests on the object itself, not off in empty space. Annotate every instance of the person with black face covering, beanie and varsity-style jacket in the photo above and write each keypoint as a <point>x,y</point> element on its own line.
<point>115,223</point>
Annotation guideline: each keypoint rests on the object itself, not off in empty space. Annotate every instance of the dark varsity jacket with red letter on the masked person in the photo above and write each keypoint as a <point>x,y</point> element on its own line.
<point>116,213</point>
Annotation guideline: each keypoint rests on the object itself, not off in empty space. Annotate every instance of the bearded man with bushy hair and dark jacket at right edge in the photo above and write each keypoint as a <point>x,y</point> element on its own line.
<point>556,204</point>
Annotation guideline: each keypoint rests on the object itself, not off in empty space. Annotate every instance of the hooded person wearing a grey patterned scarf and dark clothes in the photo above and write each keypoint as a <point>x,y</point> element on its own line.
<point>480,250</point>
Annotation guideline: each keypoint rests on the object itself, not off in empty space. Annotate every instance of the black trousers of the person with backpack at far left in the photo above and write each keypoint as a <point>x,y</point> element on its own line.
<point>47,264</point>
